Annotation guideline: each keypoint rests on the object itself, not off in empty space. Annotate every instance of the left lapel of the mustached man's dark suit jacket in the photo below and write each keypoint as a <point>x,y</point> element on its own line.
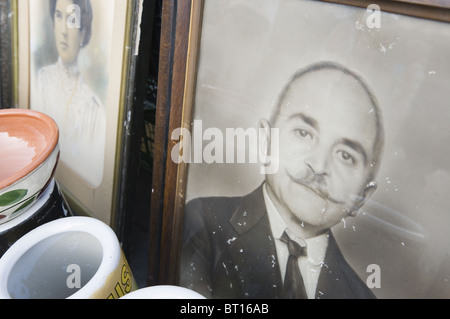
<point>253,250</point>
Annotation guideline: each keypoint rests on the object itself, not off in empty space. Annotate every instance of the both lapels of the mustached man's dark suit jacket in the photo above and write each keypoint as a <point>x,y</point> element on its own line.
<point>253,255</point>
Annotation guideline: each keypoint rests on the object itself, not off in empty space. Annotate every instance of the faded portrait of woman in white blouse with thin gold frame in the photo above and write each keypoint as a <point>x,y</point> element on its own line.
<point>74,59</point>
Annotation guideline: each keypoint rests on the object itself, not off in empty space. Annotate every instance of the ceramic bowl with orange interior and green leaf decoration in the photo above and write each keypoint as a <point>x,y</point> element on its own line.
<point>29,155</point>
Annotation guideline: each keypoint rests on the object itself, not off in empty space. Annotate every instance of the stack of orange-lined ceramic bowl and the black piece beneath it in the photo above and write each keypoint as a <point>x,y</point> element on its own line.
<point>29,155</point>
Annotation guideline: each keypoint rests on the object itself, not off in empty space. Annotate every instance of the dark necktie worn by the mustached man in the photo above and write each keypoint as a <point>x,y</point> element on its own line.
<point>293,287</point>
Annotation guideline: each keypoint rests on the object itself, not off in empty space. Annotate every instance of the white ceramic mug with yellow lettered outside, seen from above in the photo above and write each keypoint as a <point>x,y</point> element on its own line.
<point>73,257</point>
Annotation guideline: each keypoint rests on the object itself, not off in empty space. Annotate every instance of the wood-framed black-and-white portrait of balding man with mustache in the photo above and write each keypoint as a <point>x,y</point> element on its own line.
<point>305,149</point>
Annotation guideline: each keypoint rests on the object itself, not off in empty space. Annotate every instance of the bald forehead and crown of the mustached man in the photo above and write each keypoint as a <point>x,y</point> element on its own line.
<point>332,101</point>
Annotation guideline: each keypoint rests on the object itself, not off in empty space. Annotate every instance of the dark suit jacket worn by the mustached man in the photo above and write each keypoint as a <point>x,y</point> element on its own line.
<point>228,252</point>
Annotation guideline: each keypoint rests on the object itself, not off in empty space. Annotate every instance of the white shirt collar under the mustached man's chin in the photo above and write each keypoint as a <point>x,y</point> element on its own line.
<point>316,246</point>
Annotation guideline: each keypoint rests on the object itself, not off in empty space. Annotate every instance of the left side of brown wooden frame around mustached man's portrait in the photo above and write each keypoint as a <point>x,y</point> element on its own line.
<point>180,22</point>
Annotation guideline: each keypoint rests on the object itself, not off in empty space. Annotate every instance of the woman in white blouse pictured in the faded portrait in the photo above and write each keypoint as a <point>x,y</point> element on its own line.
<point>65,96</point>
